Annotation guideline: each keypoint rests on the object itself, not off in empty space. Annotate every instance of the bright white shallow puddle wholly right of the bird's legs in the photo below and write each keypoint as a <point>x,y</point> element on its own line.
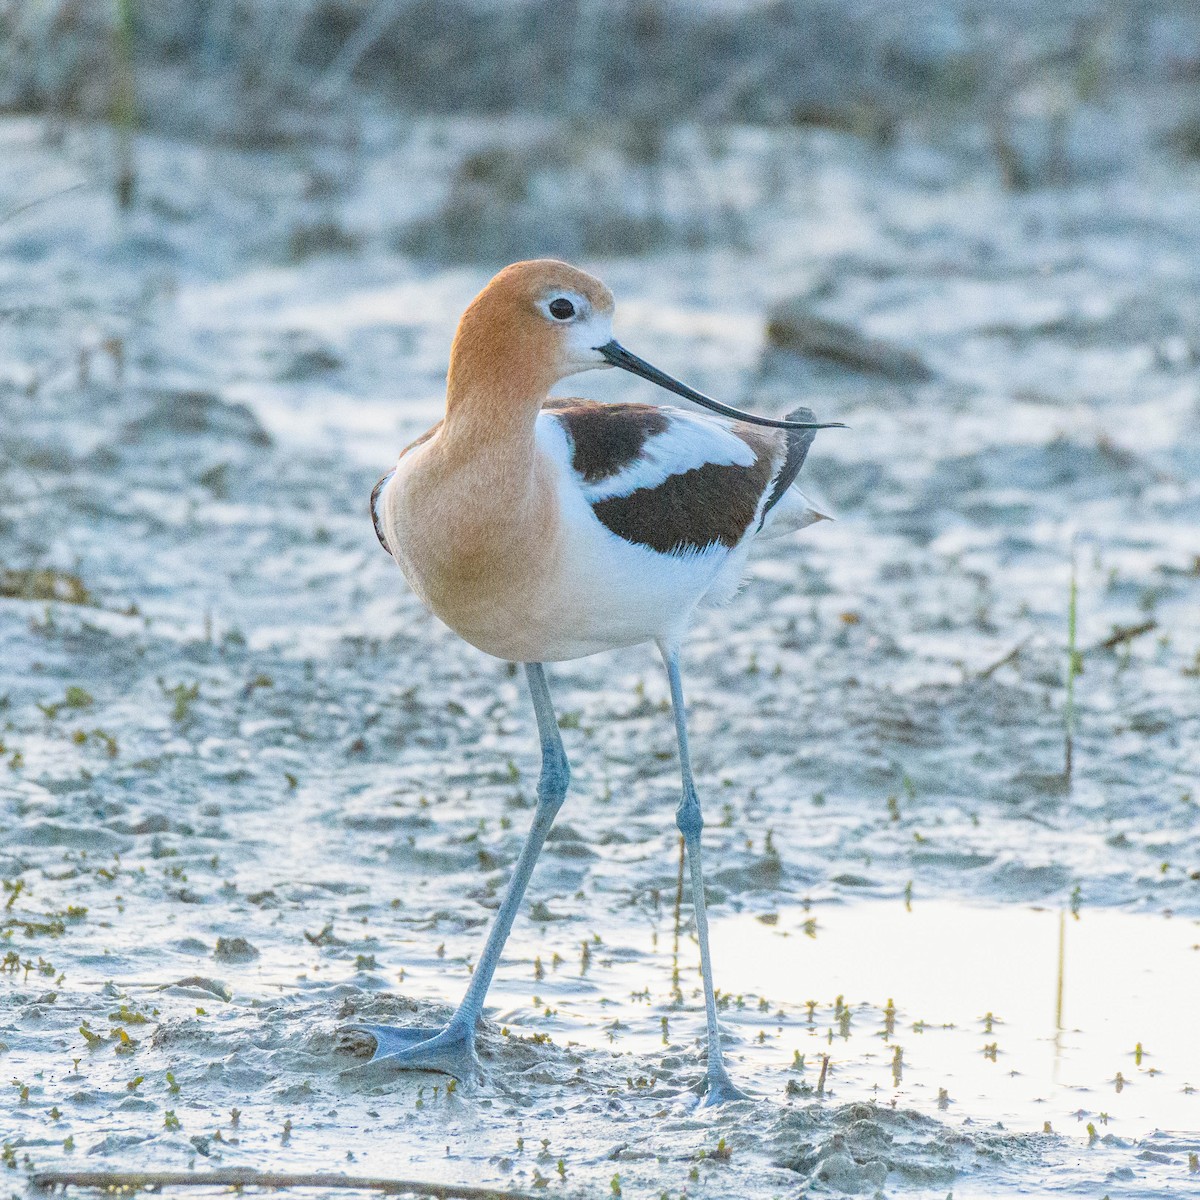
<point>983,1013</point>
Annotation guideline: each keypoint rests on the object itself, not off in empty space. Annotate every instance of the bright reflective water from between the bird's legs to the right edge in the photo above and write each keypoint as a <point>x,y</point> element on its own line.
<point>1023,1016</point>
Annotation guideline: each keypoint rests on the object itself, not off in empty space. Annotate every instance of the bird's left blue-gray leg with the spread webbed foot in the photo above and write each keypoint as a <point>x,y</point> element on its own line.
<point>453,1051</point>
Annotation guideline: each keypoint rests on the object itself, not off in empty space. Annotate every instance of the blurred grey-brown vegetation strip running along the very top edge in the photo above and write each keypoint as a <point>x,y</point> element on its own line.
<point>854,65</point>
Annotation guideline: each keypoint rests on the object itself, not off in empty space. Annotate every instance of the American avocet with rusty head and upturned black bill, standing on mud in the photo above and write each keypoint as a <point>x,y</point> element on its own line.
<point>548,530</point>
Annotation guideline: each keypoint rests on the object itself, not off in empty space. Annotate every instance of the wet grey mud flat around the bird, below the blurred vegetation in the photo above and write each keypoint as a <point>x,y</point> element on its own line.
<point>251,791</point>
